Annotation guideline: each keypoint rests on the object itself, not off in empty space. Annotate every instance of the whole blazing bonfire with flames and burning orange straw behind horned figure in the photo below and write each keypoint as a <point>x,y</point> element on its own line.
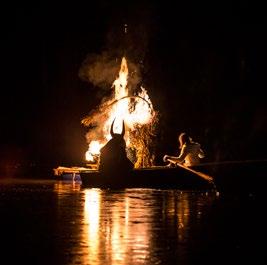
<point>138,114</point>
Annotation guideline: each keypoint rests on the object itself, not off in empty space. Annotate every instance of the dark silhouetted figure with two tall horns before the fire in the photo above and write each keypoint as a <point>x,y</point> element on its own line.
<point>113,157</point>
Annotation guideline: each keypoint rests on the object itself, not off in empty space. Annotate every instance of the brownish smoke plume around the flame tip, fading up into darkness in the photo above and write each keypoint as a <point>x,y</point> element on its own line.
<point>128,36</point>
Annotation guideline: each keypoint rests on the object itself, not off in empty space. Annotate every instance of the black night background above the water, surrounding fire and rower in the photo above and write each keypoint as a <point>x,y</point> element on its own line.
<point>202,64</point>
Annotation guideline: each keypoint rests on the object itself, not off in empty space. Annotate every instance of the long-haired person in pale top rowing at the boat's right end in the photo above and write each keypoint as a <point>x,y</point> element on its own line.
<point>190,152</point>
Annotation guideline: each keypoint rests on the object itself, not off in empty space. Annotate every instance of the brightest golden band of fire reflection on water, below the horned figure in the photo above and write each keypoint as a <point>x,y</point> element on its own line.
<point>110,223</point>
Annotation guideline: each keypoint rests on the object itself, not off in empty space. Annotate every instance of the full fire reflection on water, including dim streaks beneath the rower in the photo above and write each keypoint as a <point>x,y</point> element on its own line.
<point>129,226</point>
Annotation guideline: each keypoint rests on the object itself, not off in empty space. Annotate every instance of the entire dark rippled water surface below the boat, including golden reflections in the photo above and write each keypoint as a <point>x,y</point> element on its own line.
<point>53,222</point>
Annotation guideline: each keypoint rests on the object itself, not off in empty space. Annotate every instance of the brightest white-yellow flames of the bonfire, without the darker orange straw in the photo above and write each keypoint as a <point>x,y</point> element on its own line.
<point>134,110</point>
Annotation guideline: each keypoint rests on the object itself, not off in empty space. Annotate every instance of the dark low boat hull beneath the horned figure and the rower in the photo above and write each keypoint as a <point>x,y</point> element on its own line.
<point>161,177</point>
